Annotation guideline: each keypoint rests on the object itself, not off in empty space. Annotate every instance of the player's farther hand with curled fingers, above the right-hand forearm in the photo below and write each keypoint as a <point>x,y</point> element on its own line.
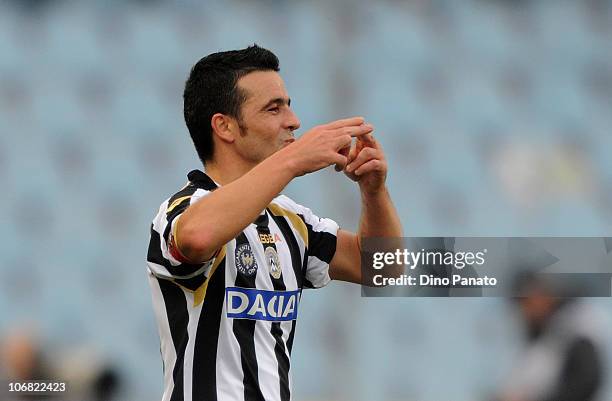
<point>367,164</point>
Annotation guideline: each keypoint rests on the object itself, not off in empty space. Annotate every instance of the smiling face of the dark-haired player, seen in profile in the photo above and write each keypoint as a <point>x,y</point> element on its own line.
<point>267,119</point>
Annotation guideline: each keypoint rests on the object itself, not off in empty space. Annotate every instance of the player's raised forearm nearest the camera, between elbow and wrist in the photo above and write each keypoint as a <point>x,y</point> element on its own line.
<point>217,218</point>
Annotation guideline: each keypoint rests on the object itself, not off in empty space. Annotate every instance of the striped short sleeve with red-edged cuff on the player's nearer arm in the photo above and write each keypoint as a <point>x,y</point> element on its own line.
<point>162,260</point>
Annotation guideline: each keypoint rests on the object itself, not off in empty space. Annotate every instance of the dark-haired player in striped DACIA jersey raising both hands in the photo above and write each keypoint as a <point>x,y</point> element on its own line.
<point>228,255</point>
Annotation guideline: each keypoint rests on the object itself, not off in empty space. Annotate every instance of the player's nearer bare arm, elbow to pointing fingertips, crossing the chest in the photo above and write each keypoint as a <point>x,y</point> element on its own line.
<point>217,218</point>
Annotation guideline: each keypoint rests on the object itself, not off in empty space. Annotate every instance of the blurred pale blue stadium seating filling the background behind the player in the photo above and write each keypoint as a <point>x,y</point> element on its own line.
<point>93,140</point>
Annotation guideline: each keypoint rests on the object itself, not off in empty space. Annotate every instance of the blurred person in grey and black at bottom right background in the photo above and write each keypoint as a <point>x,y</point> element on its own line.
<point>563,358</point>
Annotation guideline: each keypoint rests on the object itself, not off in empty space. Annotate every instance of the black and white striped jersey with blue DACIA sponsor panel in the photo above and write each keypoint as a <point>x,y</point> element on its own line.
<point>227,326</point>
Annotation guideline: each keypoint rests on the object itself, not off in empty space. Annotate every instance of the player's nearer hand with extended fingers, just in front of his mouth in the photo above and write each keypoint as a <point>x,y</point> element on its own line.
<point>325,145</point>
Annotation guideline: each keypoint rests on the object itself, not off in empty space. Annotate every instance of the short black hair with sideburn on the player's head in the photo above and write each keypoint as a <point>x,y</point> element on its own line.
<point>211,88</point>
